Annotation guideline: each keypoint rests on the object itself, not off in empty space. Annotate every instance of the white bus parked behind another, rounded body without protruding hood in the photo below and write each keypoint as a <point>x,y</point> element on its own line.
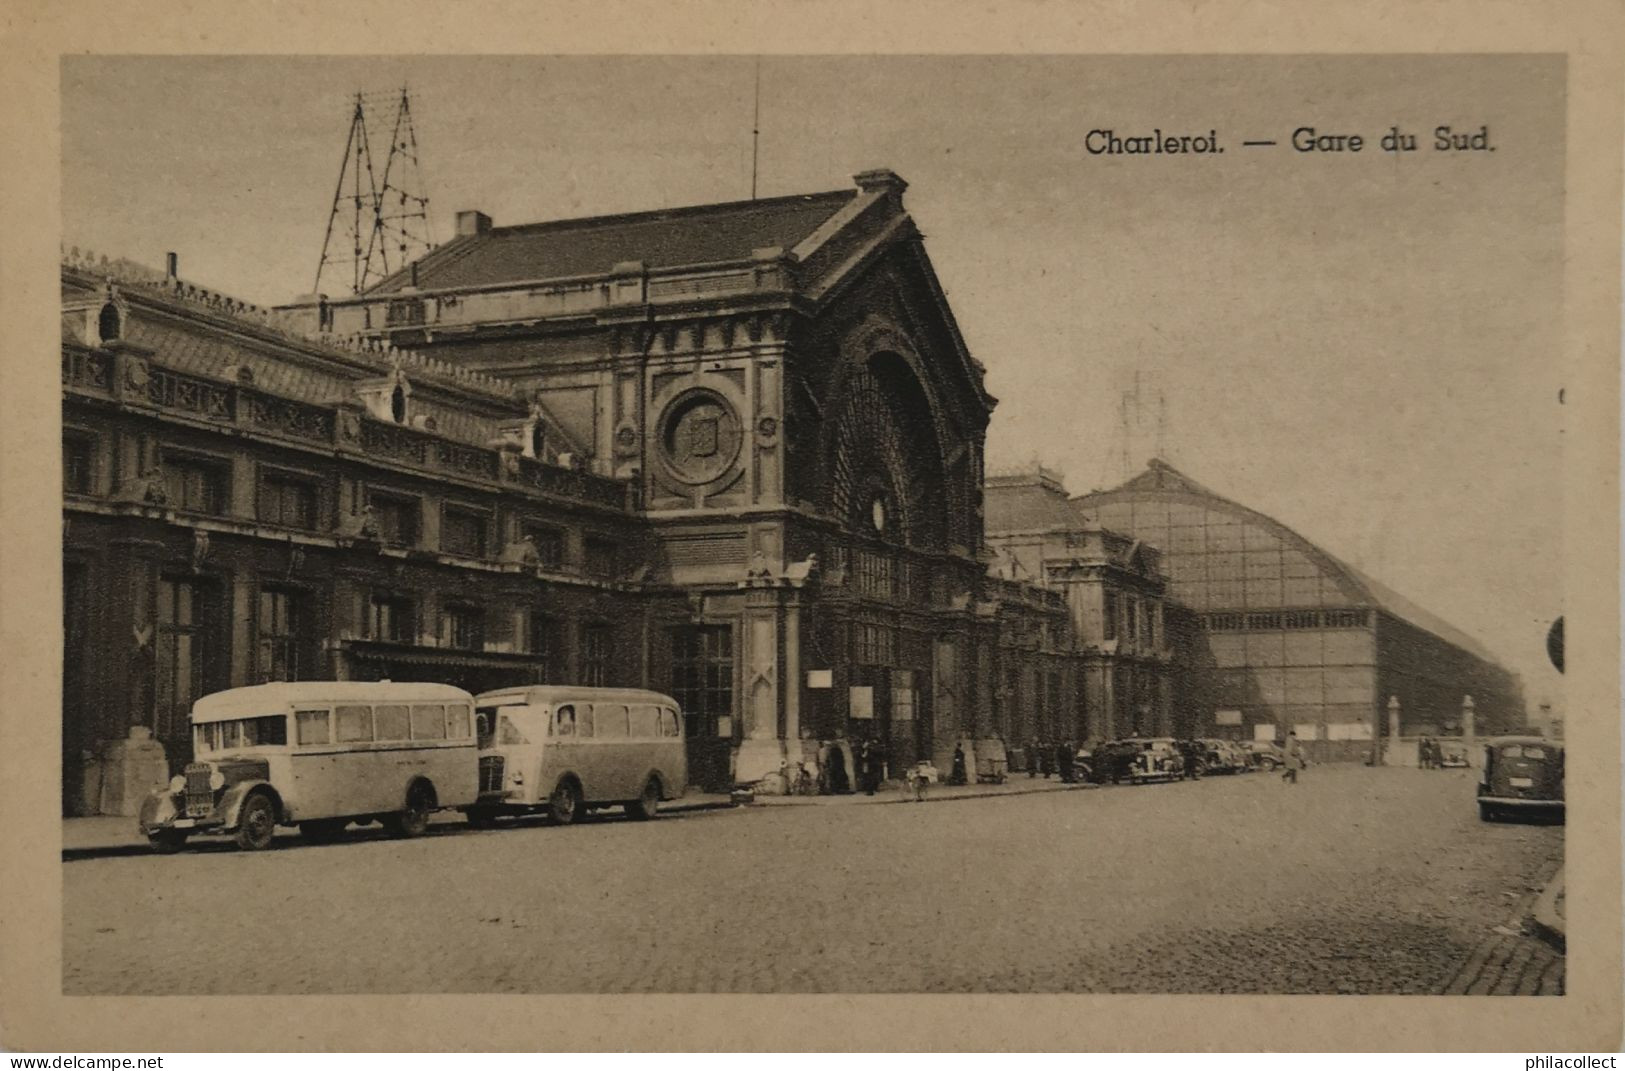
<point>568,750</point>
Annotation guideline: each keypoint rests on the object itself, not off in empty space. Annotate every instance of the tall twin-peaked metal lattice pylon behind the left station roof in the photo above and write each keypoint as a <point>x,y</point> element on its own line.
<point>379,222</point>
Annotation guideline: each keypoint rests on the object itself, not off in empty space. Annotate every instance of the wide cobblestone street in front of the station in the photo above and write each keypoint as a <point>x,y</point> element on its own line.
<point>1353,882</point>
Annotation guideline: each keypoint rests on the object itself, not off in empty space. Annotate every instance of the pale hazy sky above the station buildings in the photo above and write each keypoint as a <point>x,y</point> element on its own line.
<point>1364,347</point>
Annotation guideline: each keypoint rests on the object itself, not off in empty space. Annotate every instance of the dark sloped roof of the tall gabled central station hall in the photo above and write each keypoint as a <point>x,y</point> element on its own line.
<point>596,245</point>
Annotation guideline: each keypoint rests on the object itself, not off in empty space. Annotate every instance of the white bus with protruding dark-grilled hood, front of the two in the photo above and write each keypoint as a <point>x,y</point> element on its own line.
<point>318,755</point>
